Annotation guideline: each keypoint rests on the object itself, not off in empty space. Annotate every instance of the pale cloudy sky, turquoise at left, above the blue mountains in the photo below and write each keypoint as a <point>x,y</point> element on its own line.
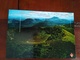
<point>24,14</point>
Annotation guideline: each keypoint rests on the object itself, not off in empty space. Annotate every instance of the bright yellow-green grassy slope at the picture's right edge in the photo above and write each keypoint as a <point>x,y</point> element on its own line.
<point>68,36</point>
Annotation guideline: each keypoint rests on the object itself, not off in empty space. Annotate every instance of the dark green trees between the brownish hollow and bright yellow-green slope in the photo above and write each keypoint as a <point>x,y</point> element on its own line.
<point>55,32</point>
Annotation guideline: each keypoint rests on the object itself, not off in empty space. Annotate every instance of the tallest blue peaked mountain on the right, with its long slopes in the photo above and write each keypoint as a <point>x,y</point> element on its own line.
<point>54,21</point>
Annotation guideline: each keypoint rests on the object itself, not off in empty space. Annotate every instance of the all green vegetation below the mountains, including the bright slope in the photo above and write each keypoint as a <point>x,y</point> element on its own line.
<point>56,42</point>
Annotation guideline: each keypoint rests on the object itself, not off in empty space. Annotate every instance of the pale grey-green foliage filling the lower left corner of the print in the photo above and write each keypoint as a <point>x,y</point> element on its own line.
<point>15,49</point>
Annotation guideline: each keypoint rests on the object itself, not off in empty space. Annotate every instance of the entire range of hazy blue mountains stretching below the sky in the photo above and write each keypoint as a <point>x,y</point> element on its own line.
<point>41,22</point>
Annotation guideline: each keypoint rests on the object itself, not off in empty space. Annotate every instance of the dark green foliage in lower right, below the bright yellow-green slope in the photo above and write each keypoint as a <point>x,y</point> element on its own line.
<point>58,49</point>
